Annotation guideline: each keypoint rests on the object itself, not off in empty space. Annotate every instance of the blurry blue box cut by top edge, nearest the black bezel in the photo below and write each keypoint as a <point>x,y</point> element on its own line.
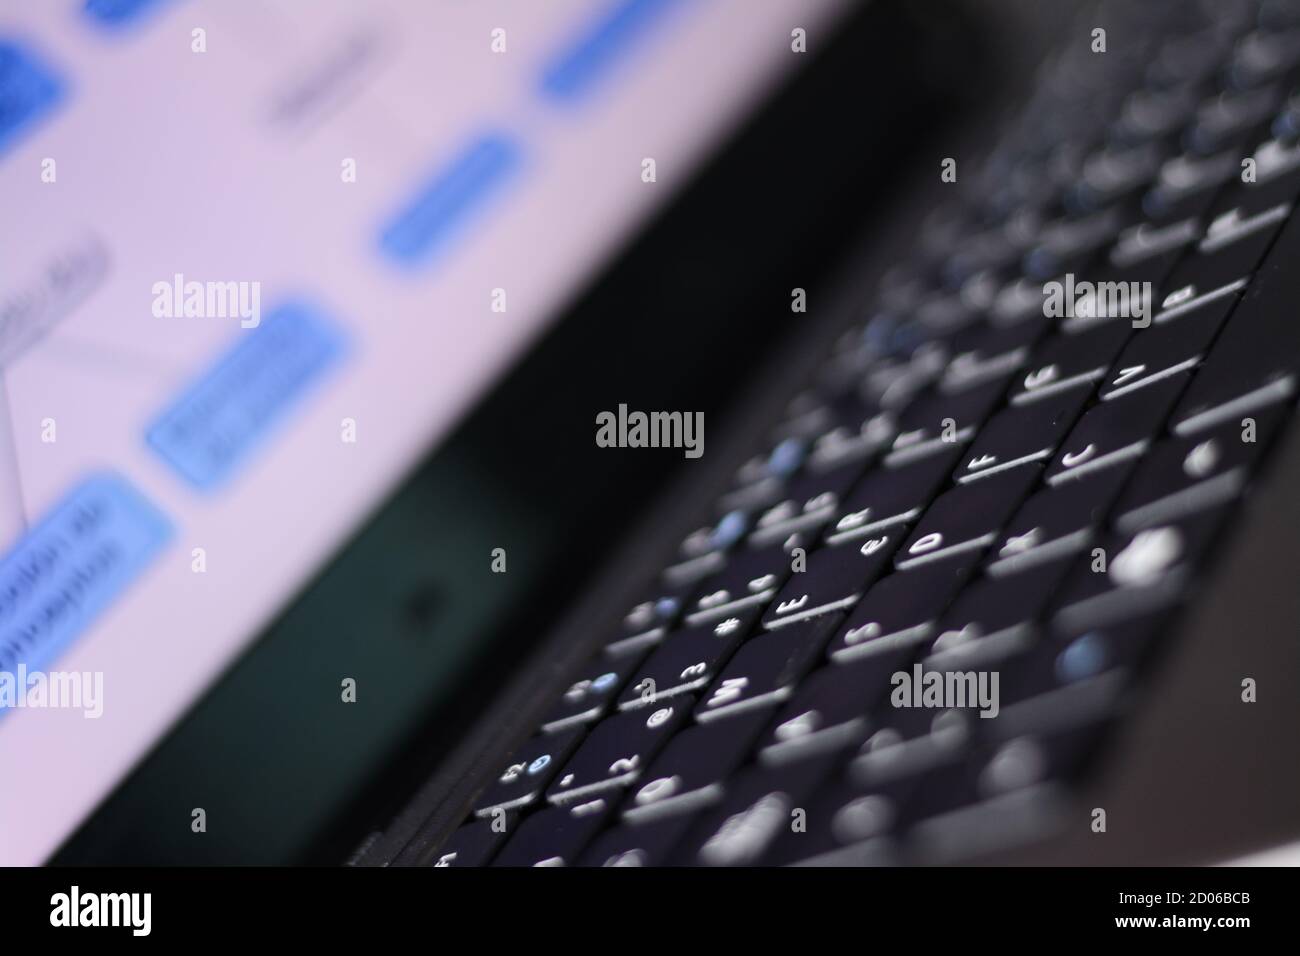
<point>591,57</point>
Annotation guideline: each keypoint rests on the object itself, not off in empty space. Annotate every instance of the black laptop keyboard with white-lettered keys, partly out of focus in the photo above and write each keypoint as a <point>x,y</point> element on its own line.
<point>974,482</point>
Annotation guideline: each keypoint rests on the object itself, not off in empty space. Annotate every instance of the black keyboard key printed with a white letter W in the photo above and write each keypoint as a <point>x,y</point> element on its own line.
<point>766,669</point>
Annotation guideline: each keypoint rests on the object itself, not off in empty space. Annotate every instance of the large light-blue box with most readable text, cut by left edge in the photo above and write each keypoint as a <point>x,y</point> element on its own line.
<point>67,570</point>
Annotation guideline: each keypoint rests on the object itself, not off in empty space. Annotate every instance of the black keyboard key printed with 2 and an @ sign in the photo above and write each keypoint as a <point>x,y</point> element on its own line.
<point>618,751</point>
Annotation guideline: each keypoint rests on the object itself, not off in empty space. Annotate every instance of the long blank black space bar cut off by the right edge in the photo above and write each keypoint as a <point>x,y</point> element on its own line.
<point>1255,361</point>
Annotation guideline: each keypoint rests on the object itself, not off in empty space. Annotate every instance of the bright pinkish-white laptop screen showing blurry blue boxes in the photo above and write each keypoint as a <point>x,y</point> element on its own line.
<point>255,262</point>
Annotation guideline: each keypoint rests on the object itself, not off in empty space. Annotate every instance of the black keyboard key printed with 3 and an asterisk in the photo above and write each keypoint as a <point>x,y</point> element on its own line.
<point>687,661</point>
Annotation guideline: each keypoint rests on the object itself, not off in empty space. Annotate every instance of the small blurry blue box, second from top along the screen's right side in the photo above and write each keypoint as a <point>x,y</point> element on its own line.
<point>447,201</point>
